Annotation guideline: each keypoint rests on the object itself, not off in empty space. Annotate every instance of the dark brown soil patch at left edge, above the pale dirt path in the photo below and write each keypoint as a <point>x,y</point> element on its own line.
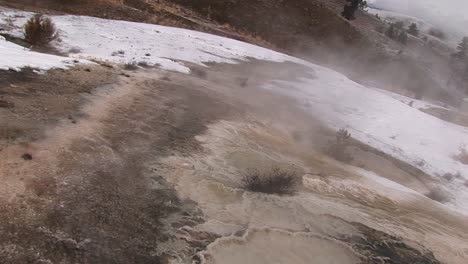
<point>33,101</point>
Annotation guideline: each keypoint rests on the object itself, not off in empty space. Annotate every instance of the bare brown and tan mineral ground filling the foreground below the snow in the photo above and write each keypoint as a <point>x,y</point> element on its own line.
<point>103,165</point>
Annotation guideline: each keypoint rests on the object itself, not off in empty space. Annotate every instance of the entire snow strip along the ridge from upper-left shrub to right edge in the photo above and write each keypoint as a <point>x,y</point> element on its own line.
<point>379,119</point>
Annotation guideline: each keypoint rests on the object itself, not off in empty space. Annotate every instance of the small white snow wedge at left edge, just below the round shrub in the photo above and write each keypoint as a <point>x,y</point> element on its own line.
<point>14,57</point>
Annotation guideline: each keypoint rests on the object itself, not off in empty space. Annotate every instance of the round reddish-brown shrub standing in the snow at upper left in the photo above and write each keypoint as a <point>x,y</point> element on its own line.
<point>40,30</point>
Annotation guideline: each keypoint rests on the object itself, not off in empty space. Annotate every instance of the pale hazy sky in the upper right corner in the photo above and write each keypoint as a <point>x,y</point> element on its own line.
<point>447,14</point>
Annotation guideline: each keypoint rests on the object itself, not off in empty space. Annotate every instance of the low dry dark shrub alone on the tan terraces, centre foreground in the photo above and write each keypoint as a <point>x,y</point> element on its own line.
<point>276,181</point>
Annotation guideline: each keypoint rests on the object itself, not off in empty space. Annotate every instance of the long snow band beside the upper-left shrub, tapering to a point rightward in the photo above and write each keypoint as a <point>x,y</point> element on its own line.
<point>125,42</point>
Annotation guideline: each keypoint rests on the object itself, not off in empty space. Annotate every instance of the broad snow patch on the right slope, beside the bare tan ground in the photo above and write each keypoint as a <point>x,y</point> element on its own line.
<point>384,122</point>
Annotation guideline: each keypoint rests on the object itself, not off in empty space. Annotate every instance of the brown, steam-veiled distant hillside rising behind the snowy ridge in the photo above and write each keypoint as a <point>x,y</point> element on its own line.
<point>311,29</point>
